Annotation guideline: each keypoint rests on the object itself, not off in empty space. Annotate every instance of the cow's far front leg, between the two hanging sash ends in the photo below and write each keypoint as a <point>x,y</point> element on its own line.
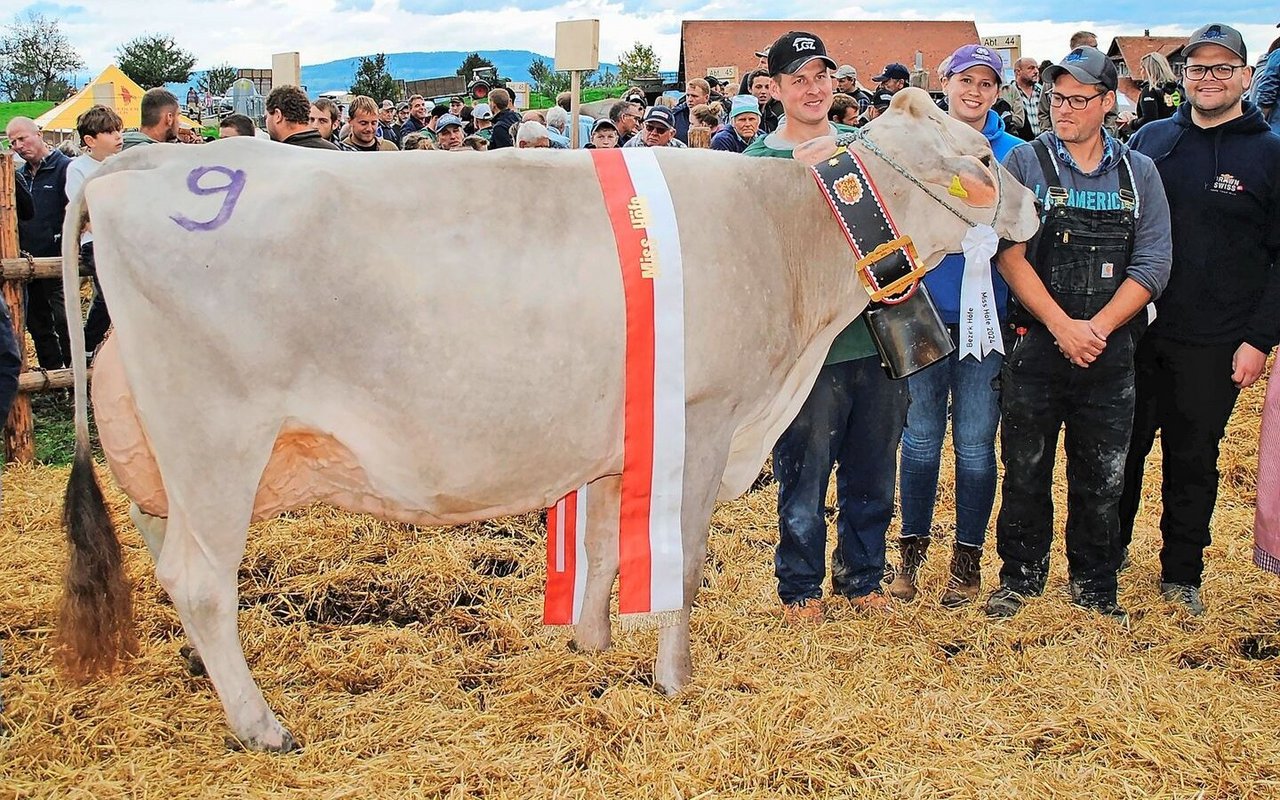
<point>592,632</point>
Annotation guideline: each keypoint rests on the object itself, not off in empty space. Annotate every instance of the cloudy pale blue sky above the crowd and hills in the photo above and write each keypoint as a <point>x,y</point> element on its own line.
<point>246,33</point>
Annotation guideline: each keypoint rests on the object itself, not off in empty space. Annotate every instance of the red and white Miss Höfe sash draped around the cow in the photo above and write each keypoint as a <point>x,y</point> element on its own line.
<point>651,551</point>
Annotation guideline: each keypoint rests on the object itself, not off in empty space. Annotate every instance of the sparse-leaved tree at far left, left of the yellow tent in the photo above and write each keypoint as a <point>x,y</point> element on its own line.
<point>36,60</point>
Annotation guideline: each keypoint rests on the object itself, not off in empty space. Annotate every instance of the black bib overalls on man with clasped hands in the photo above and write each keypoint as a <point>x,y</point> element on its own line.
<point>1082,259</point>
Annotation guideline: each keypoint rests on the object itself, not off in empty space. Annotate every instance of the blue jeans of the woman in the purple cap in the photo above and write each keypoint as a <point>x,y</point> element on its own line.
<point>975,415</point>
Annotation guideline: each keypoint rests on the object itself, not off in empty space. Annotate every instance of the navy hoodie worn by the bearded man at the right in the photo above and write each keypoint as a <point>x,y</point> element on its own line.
<point>1224,198</point>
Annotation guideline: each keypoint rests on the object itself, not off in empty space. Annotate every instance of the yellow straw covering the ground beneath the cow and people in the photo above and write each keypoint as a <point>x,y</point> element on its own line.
<point>413,664</point>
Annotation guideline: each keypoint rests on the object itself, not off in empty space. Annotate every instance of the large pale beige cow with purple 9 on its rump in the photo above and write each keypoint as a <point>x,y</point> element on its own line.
<point>440,391</point>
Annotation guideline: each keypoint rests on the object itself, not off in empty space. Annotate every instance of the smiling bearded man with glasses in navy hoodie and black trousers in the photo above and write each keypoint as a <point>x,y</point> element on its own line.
<point>1220,314</point>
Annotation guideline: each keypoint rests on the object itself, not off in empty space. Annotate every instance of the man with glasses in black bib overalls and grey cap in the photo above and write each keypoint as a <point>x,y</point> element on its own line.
<point>1081,287</point>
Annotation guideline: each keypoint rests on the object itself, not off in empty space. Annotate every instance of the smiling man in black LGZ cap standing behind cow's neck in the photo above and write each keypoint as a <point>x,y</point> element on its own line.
<point>834,423</point>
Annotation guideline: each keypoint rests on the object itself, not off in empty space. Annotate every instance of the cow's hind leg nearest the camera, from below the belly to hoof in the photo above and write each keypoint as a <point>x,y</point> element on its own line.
<point>199,573</point>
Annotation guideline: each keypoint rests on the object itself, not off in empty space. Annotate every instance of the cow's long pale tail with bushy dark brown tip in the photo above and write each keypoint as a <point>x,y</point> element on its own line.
<point>95,627</point>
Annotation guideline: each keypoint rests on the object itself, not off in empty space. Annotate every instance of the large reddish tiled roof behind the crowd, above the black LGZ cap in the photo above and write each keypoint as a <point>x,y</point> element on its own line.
<point>868,45</point>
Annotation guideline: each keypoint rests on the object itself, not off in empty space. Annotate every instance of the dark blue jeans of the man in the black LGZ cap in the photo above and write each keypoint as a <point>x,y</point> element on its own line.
<point>853,419</point>
